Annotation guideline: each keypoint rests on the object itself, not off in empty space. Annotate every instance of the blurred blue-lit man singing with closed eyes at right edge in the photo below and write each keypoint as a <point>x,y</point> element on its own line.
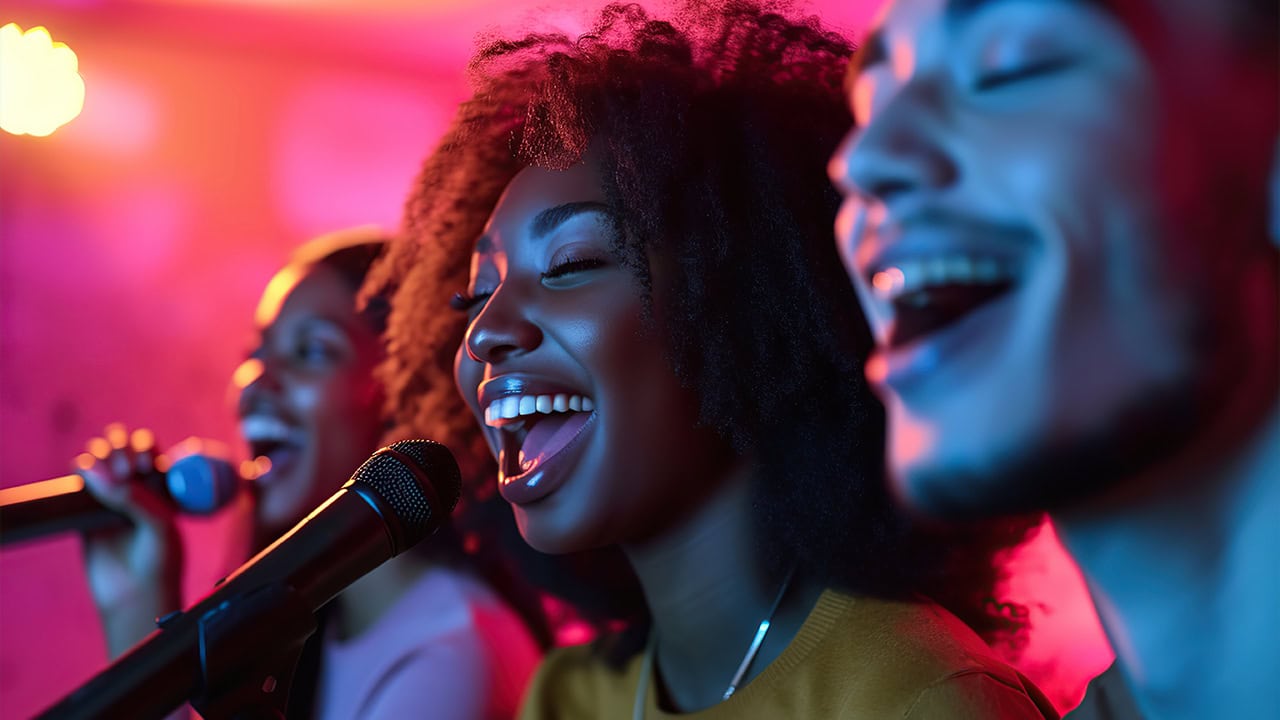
<point>1058,224</point>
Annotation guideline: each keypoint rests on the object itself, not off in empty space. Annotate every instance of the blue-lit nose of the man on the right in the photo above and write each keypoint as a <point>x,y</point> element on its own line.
<point>902,149</point>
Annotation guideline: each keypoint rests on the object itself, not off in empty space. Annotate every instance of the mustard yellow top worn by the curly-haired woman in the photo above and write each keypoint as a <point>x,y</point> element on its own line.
<point>854,658</point>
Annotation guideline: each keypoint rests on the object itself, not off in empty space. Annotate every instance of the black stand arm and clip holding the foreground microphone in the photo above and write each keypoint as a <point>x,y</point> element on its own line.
<point>248,650</point>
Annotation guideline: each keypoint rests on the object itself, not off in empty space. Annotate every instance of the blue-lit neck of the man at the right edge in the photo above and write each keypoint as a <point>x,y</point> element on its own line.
<point>1186,581</point>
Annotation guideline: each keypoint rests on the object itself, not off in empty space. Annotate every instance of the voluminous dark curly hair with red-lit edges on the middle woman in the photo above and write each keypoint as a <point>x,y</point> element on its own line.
<point>714,133</point>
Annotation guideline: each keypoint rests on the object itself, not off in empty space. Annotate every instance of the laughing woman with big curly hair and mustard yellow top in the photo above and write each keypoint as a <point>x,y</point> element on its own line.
<point>659,349</point>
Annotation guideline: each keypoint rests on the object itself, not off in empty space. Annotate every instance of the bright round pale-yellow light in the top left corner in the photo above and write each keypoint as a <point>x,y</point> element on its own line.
<point>40,79</point>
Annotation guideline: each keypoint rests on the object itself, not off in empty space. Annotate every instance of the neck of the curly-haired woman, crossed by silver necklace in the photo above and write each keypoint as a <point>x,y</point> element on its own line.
<point>707,596</point>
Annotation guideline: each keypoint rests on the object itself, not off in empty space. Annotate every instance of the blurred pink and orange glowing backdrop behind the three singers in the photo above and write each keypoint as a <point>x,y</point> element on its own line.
<point>216,136</point>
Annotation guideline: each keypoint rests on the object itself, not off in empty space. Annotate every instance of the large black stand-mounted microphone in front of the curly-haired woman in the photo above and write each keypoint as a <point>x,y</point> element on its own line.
<point>240,634</point>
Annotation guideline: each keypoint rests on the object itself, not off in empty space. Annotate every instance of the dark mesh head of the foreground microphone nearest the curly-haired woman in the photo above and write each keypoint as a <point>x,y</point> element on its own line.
<point>419,481</point>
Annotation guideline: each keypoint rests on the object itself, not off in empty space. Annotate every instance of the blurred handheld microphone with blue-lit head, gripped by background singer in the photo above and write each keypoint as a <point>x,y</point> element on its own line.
<point>196,484</point>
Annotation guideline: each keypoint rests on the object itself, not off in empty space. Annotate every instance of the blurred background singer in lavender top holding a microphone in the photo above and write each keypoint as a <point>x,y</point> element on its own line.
<point>423,631</point>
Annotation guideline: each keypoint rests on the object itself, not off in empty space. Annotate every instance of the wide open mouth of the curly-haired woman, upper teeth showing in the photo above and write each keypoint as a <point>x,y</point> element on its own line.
<point>536,430</point>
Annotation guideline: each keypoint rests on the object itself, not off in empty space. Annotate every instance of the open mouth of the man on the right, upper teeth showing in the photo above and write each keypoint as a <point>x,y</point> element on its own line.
<point>931,294</point>
